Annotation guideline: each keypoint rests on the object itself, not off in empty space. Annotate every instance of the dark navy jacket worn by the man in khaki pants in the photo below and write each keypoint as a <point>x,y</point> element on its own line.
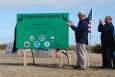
<point>81,31</point>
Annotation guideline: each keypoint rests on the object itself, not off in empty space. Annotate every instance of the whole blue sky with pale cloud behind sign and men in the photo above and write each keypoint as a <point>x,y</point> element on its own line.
<point>9,9</point>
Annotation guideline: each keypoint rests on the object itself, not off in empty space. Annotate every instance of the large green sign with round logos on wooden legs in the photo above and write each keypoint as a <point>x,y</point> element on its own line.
<point>44,30</point>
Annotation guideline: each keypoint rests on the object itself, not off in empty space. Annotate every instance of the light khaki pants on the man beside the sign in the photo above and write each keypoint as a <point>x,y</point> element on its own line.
<point>81,55</point>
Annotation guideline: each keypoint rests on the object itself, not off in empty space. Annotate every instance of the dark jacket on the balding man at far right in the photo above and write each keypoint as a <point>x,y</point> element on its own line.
<point>107,32</point>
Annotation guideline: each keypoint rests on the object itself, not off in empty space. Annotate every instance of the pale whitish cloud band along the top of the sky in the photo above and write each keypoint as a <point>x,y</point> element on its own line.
<point>54,3</point>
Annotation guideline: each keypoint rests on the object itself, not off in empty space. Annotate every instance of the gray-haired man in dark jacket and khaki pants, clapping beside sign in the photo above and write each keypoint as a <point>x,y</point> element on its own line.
<point>81,36</point>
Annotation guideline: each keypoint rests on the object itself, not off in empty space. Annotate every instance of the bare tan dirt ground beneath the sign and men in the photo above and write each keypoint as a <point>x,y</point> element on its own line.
<point>46,66</point>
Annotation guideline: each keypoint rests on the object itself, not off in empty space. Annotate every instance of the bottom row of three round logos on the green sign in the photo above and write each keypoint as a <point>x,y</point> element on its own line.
<point>36,44</point>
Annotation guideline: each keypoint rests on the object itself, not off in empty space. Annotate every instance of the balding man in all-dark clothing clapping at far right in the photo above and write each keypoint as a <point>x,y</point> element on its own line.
<point>107,31</point>
